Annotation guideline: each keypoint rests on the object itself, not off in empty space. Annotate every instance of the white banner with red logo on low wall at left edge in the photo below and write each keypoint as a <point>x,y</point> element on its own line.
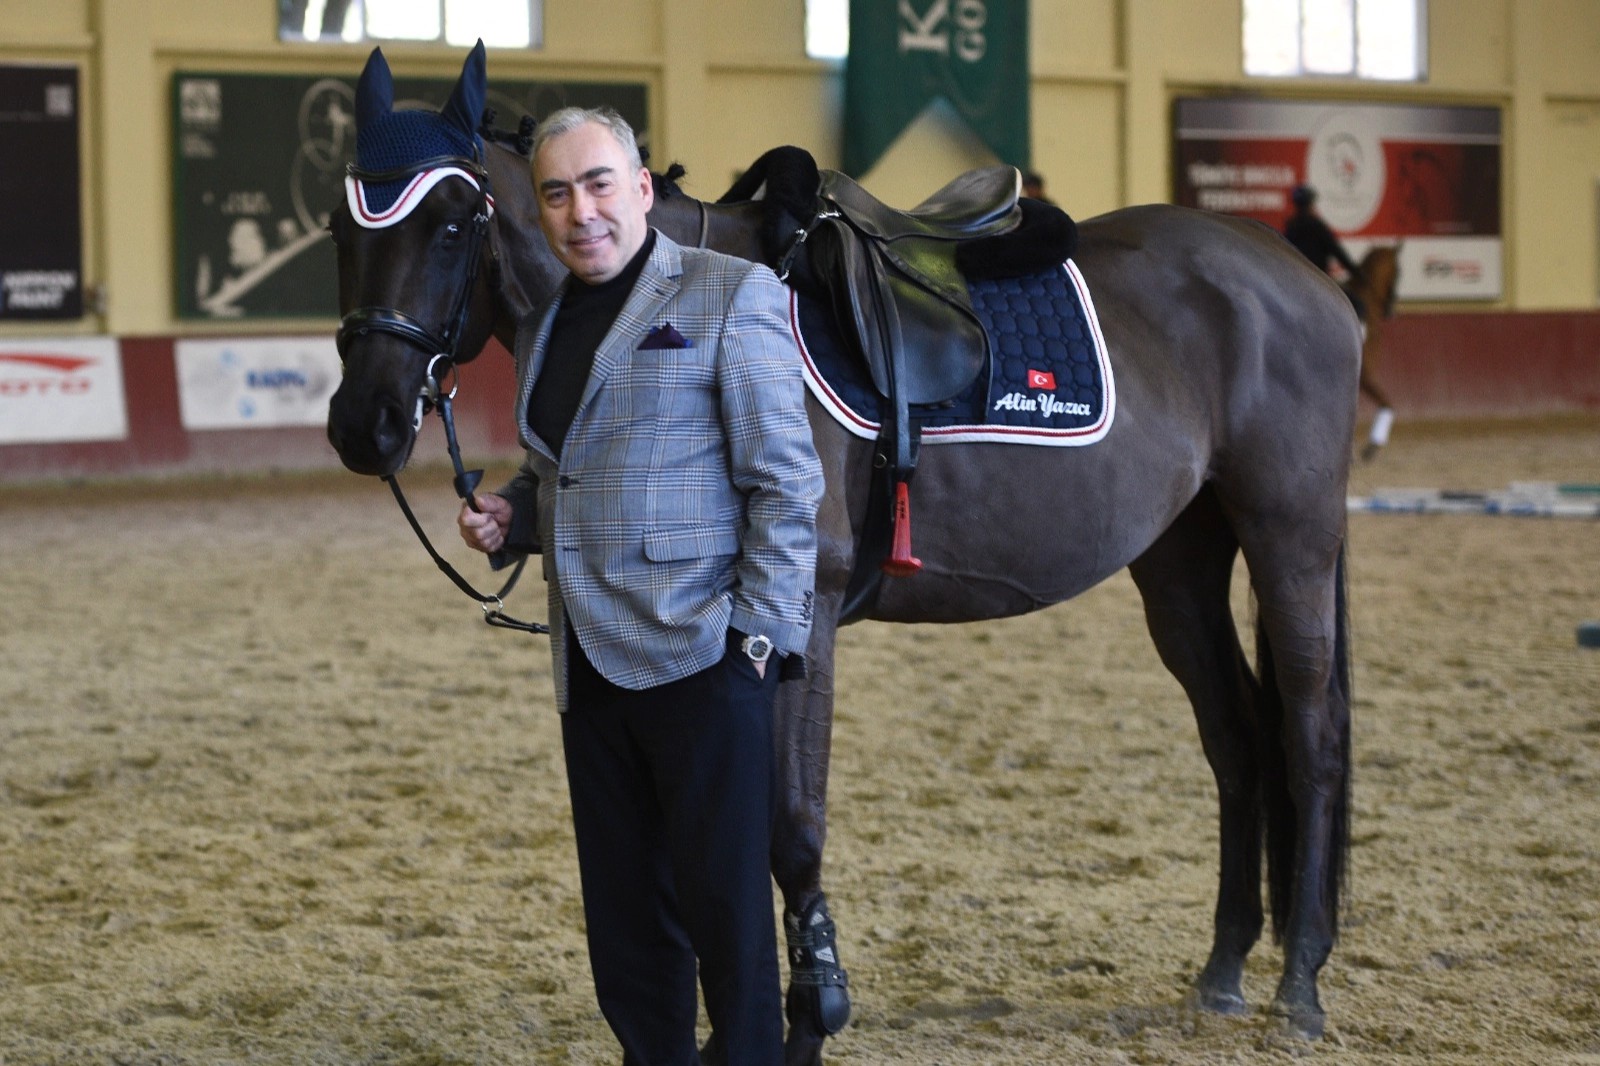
<point>55,391</point>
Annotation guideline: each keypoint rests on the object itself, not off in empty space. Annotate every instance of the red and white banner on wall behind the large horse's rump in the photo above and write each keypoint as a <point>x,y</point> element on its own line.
<point>1418,177</point>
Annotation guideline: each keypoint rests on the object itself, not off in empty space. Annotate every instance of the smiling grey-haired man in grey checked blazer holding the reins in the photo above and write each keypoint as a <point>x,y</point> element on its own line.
<point>673,486</point>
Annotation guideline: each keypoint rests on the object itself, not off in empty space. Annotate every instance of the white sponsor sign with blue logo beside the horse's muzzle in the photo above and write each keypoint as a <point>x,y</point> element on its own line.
<point>260,382</point>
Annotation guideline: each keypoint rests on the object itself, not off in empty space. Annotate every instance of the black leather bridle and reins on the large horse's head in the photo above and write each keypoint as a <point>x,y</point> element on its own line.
<point>444,350</point>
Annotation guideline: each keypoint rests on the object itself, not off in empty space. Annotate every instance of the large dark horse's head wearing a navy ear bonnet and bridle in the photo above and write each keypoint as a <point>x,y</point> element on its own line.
<point>417,263</point>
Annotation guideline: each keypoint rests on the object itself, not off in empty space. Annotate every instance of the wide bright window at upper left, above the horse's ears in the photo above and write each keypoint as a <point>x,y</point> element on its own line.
<point>462,23</point>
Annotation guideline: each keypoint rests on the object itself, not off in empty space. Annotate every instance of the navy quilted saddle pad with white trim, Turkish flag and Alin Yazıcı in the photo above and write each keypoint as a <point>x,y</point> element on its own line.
<point>1049,380</point>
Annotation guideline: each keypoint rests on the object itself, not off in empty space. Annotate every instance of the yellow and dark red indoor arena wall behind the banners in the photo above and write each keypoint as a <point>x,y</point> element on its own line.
<point>1105,76</point>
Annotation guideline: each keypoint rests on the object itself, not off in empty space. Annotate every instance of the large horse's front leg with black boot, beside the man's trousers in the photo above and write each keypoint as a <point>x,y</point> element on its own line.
<point>818,998</point>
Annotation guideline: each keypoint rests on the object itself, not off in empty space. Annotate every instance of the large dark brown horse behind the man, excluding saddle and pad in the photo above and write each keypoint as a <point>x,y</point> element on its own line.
<point>1236,371</point>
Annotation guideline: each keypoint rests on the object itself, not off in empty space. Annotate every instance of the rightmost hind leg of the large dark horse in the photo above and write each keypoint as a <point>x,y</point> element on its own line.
<point>1303,663</point>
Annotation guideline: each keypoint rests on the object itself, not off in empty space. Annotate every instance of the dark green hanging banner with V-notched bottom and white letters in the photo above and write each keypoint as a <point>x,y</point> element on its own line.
<point>908,54</point>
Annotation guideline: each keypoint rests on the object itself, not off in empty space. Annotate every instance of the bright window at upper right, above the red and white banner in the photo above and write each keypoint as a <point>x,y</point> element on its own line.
<point>1362,39</point>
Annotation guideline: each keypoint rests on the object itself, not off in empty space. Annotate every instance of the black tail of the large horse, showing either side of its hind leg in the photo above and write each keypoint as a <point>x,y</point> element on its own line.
<point>1282,836</point>
